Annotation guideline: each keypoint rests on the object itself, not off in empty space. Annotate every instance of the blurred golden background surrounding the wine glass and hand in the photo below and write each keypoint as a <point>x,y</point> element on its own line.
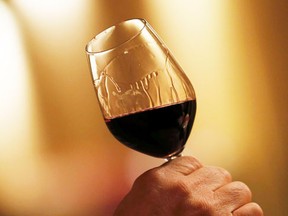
<point>56,155</point>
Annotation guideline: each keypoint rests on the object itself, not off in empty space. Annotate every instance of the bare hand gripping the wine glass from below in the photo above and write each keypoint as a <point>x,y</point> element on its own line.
<point>183,187</point>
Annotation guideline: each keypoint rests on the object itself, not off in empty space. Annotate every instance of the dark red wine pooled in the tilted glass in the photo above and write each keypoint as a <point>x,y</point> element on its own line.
<point>160,132</point>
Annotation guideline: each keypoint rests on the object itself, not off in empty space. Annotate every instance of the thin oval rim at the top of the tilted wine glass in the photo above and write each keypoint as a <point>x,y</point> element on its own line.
<point>145,23</point>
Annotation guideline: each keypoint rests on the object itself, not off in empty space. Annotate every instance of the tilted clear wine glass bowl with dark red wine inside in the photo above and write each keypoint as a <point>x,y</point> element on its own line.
<point>147,101</point>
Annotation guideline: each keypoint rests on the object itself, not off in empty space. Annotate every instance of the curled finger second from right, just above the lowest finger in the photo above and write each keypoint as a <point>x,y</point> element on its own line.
<point>233,195</point>
